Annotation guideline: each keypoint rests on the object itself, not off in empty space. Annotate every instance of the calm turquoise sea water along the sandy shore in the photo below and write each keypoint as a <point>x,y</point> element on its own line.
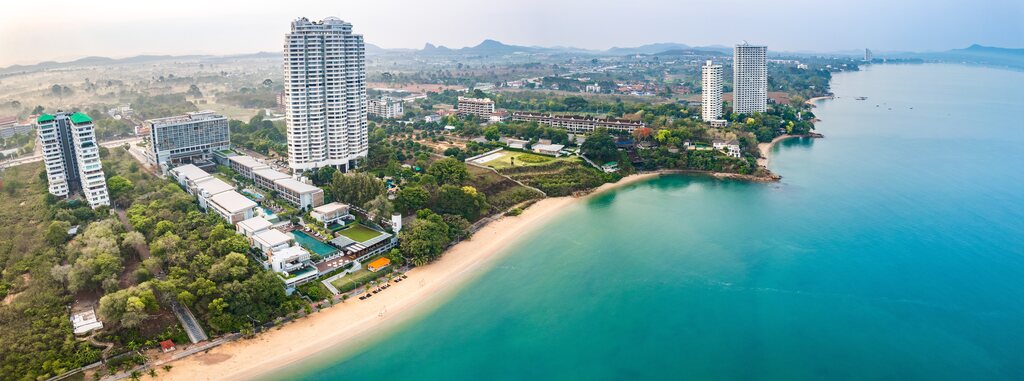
<point>892,249</point>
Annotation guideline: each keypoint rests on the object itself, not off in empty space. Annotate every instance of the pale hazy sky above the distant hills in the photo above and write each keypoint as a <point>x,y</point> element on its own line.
<point>42,30</point>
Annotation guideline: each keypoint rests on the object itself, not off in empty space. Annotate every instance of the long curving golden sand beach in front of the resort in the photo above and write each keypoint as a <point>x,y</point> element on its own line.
<point>349,322</point>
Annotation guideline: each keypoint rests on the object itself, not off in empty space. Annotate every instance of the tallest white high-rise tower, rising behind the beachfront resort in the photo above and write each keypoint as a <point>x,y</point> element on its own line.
<point>325,95</point>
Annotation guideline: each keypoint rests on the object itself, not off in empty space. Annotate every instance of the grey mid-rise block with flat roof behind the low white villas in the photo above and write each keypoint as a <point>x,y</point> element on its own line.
<point>187,139</point>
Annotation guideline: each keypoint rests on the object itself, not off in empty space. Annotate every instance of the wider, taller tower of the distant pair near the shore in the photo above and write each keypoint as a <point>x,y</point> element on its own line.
<point>750,79</point>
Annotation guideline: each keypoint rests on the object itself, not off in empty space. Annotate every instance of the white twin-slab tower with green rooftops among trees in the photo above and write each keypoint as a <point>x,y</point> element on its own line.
<point>72,157</point>
